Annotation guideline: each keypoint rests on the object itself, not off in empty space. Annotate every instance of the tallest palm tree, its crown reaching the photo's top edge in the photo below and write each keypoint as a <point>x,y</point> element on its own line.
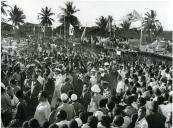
<point>68,15</point>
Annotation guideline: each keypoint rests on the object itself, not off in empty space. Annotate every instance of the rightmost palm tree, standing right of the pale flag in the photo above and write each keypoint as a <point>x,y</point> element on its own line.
<point>152,26</point>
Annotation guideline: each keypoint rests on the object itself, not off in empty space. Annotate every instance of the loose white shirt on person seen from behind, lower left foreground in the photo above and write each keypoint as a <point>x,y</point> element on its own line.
<point>42,112</point>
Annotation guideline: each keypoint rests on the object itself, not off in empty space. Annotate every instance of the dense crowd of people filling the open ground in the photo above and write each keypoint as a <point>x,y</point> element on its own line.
<point>50,87</point>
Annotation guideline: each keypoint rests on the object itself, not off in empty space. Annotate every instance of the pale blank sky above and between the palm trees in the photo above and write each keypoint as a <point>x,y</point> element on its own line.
<point>90,10</point>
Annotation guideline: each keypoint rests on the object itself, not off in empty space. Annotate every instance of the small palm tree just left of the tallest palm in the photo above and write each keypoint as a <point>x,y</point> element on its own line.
<point>45,17</point>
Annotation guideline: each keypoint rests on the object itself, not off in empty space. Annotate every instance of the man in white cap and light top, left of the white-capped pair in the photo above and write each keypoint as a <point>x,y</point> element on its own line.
<point>68,108</point>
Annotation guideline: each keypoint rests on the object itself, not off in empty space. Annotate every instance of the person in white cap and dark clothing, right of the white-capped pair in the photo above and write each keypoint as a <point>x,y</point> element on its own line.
<point>77,106</point>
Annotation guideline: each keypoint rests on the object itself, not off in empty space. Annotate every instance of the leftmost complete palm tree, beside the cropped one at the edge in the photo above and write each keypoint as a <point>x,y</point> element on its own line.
<point>16,16</point>
